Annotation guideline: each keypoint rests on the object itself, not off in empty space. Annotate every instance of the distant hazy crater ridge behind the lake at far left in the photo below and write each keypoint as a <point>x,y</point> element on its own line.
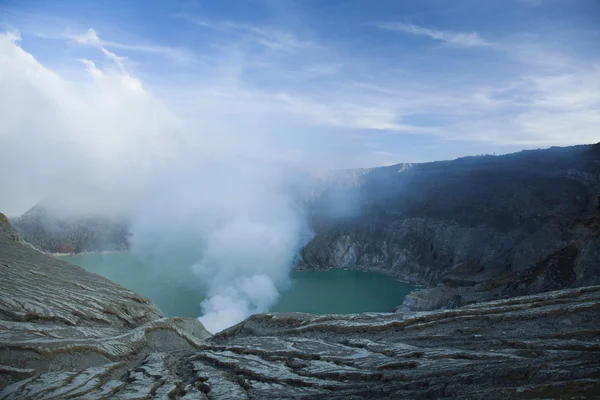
<point>85,233</point>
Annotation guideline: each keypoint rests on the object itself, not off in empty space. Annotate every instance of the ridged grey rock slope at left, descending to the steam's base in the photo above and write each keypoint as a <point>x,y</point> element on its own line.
<point>56,318</point>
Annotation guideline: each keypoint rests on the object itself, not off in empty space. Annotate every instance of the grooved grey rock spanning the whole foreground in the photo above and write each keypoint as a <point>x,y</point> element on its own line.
<point>66,333</point>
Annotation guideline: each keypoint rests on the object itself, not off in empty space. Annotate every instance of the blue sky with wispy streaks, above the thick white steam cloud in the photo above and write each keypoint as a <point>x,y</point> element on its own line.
<point>409,81</point>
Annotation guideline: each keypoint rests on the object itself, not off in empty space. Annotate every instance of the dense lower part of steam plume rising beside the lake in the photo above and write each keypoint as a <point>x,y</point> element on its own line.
<point>246,261</point>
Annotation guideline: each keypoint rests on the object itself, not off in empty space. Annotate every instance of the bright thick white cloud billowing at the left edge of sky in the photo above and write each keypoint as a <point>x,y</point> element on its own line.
<point>59,134</point>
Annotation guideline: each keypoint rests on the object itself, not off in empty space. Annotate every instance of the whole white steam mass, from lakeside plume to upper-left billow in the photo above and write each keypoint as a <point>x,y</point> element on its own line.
<point>211,189</point>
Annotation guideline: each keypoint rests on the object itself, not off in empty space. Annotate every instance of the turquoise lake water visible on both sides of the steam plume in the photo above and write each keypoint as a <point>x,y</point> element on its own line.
<point>177,292</point>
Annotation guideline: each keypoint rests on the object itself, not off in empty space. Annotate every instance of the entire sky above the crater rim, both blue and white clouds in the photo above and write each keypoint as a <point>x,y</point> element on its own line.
<point>98,93</point>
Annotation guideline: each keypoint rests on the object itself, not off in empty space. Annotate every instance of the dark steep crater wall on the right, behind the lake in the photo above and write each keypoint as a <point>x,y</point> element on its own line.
<point>472,229</point>
